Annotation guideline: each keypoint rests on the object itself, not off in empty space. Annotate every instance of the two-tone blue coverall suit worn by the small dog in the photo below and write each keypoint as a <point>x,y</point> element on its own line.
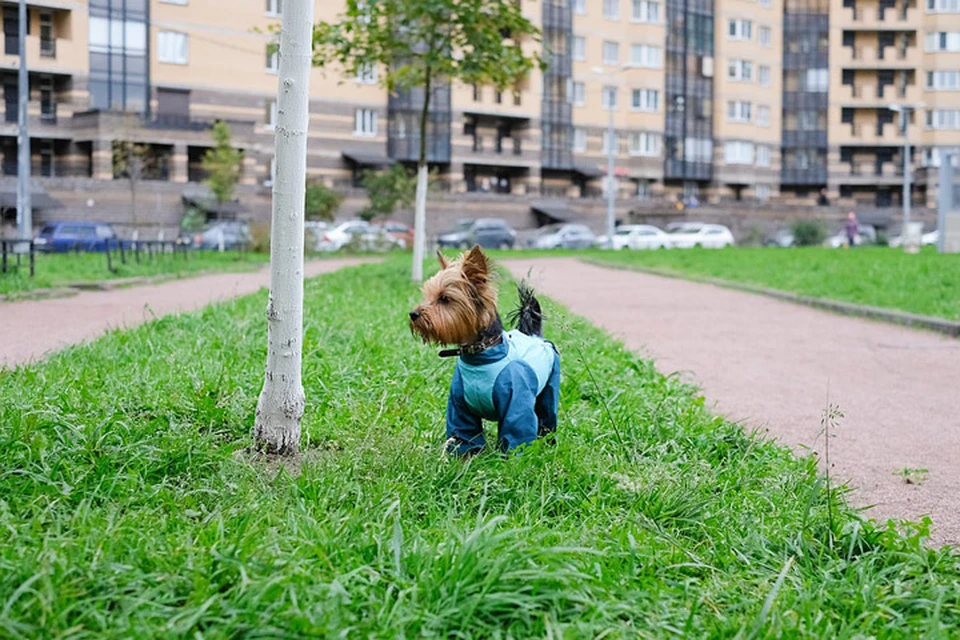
<point>515,383</point>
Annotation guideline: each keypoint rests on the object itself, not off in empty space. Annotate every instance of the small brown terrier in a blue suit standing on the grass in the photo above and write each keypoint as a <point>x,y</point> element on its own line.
<point>511,377</point>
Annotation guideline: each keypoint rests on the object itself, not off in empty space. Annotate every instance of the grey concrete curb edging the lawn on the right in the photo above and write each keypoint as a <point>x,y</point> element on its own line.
<point>947,327</point>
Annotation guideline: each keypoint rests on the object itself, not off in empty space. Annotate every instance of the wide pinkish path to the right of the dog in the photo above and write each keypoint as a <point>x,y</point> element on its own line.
<point>769,364</point>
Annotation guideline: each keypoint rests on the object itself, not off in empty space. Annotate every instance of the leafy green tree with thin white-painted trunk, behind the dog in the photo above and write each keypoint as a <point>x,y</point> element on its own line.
<point>425,43</point>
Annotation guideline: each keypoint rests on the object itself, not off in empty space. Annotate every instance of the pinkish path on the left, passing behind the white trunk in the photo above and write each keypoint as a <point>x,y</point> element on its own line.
<point>32,329</point>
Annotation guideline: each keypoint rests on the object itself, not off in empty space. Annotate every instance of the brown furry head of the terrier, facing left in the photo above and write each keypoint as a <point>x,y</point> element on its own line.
<point>458,302</point>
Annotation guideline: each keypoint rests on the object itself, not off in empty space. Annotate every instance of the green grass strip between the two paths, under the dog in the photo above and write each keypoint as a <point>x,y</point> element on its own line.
<point>129,508</point>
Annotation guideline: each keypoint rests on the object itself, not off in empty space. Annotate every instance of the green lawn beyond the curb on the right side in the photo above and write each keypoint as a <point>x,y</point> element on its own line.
<point>927,283</point>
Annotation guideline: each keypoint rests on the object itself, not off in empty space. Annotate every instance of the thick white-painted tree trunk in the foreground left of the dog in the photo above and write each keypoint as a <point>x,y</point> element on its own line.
<point>277,425</point>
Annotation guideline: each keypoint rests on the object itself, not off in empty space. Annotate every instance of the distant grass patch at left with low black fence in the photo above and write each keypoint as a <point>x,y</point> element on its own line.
<point>53,270</point>
